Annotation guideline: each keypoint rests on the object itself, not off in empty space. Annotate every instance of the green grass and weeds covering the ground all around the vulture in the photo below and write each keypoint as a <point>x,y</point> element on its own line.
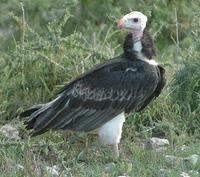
<point>43,45</point>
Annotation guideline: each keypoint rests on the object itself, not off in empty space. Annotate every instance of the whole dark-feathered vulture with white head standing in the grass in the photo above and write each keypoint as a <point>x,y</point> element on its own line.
<point>104,96</point>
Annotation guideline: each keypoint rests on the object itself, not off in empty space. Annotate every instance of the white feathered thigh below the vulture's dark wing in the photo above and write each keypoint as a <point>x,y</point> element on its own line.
<point>110,132</point>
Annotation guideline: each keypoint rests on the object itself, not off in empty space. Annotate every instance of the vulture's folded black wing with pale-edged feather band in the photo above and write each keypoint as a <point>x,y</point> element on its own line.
<point>98,96</point>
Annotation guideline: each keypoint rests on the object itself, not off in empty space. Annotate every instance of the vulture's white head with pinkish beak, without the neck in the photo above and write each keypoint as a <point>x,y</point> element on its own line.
<point>134,21</point>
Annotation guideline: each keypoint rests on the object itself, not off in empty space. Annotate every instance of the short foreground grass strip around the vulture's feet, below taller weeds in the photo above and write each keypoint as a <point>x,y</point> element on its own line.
<point>83,156</point>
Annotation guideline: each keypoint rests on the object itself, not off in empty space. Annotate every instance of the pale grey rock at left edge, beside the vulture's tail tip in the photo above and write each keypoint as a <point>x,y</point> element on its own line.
<point>9,131</point>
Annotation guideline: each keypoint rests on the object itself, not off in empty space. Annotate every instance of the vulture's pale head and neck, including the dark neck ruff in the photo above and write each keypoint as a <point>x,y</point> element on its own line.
<point>138,39</point>
